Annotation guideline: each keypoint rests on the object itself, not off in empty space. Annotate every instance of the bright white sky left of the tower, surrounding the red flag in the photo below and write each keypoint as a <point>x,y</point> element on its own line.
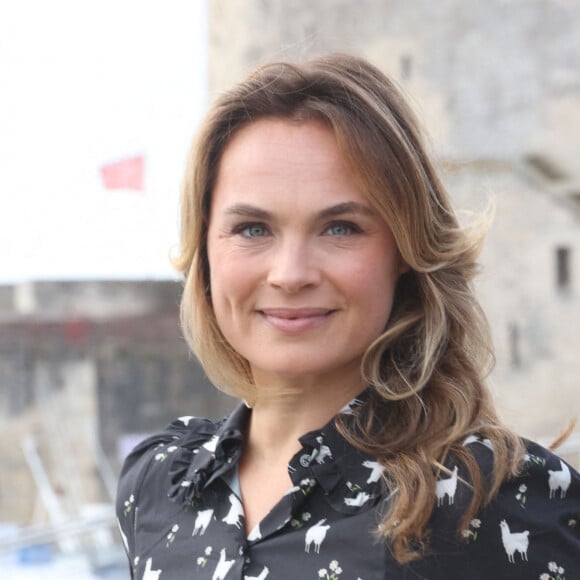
<point>84,83</point>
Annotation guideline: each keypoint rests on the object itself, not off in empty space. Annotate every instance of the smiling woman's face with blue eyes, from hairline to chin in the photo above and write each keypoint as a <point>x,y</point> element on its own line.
<point>302,270</point>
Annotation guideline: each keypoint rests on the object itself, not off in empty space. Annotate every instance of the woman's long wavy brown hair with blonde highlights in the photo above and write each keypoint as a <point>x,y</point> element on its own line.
<point>427,370</point>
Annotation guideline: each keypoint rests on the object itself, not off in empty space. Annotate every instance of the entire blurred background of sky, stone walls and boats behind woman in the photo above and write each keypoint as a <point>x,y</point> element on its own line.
<point>98,104</point>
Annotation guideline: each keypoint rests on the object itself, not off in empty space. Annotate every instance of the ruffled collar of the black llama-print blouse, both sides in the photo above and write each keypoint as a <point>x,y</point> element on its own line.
<point>349,479</point>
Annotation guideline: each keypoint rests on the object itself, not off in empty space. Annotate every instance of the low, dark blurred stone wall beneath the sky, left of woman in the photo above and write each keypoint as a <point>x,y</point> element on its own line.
<point>91,369</point>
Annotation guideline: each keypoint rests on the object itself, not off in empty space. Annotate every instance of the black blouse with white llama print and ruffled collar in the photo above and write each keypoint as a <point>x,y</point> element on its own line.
<point>181,517</point>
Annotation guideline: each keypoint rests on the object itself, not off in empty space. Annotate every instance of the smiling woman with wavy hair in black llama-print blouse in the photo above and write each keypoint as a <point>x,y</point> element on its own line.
<point>328,285</point>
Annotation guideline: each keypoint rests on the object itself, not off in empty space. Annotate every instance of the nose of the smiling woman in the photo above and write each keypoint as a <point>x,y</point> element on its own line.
<point>293,267</point>
